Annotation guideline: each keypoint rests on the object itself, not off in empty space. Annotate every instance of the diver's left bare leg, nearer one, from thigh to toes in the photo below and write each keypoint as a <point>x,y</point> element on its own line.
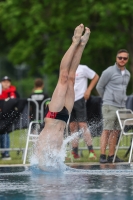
<point>59,95</point>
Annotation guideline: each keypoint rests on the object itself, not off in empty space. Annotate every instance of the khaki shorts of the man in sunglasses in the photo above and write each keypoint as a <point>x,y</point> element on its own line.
<point>110,120</point>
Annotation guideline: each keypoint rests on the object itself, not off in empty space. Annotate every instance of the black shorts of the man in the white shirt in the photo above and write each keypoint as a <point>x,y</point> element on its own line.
<point>79,112</point>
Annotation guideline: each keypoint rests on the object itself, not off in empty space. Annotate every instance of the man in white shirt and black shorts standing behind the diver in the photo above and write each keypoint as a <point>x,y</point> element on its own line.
<point>78,118</point>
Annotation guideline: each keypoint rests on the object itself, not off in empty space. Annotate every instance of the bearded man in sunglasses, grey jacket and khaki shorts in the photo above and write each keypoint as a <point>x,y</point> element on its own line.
<point>112,87</point>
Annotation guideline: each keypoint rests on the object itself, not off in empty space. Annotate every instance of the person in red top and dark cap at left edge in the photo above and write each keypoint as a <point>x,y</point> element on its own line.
<point>8,91</point>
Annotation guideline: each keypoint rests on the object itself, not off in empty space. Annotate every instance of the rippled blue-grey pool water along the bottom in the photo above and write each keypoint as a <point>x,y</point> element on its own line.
<point>89,182</point>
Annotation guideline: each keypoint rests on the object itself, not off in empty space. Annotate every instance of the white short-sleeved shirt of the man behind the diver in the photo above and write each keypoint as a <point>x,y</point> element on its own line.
<point>83,73</point>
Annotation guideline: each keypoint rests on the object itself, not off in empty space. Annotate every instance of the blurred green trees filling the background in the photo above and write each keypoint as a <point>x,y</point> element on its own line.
<point>34,35</point>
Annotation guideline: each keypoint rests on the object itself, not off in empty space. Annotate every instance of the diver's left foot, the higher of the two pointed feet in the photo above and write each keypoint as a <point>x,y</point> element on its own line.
<point>77,34</point>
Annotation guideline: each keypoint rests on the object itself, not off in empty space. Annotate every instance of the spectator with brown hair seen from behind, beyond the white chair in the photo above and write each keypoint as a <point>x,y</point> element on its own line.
<point>38,95</point>
